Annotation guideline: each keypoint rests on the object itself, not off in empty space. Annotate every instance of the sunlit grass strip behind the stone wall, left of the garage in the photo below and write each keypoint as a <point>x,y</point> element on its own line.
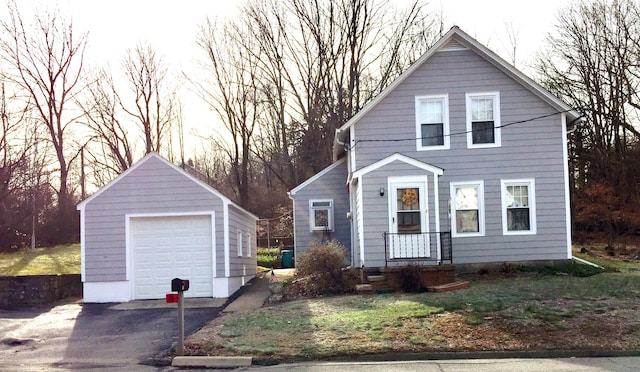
<point>61,259</point>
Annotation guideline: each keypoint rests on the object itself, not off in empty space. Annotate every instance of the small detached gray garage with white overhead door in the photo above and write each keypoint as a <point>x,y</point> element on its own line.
<point>156,222</point>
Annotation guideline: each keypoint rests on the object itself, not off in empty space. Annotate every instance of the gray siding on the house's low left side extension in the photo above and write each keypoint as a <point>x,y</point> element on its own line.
<point>331,185</point>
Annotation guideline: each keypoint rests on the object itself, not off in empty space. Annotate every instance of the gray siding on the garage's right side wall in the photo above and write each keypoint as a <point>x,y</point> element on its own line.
<point>241,266</point>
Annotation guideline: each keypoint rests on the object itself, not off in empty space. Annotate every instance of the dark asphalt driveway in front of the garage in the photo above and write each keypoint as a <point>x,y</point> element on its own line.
<point>77,336</point>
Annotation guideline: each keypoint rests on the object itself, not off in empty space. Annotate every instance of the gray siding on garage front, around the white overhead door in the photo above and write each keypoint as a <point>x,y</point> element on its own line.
<point>152,187</point>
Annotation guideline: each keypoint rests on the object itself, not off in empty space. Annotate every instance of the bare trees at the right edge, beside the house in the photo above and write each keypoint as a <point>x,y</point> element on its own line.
<point>592,62</point>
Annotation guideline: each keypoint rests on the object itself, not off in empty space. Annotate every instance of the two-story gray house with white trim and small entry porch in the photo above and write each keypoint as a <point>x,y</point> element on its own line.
<point>461,159</point>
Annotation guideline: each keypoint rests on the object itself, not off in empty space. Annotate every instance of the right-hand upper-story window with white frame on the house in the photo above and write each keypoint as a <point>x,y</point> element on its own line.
<point>483,119</point>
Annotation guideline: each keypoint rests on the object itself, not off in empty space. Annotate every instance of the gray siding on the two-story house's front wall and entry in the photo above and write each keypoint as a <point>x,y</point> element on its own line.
<point>529,150</point>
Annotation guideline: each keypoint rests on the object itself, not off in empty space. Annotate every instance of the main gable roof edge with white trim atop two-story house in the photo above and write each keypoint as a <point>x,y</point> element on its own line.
<point>454,39</point>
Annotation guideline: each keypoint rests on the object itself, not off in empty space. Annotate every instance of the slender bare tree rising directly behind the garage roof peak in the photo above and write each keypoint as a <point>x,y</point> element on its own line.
<point>153,108</point>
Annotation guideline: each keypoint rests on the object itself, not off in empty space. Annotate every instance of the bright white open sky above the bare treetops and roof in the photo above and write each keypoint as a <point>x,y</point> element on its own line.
<point>170,27</point>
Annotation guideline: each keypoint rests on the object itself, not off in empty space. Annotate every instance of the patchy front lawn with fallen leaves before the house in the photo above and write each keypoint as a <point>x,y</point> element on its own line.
<point>514,311</point>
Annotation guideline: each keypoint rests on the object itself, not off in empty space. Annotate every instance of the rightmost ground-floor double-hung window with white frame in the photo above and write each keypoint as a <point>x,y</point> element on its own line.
<point>518,207</point>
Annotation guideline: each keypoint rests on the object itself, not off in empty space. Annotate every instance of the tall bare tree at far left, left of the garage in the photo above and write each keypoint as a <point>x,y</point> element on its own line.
<point>45,60</point>
